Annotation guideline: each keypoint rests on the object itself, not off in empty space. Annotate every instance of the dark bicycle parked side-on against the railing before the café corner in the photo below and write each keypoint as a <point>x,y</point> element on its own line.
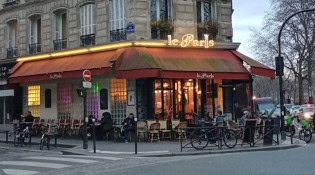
<point>201,137</point>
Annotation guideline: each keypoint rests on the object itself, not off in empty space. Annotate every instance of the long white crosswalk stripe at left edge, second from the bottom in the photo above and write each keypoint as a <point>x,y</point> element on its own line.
<point>35,164</point>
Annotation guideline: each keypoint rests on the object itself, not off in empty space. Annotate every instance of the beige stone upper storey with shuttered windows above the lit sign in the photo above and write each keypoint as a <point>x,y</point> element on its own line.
<point>30,27</point>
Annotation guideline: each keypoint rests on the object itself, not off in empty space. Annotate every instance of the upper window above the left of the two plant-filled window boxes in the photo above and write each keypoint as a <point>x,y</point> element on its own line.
<point>161,9</point>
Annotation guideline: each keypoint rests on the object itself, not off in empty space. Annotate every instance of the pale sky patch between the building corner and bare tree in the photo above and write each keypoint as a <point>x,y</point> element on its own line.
<point>247,13</point>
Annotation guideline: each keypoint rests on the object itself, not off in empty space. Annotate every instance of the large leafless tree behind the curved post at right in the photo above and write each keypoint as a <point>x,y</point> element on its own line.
<point>298,41</point>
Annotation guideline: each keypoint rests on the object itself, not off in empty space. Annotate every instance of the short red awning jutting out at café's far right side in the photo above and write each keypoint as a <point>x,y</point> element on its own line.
<point>256,68</point>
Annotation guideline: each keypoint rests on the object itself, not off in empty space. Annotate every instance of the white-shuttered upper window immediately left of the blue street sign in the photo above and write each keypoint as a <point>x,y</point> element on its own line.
<point>118,14</point>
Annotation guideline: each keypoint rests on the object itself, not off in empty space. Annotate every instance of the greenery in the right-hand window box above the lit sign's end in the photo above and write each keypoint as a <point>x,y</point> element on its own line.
<point>207,27</point>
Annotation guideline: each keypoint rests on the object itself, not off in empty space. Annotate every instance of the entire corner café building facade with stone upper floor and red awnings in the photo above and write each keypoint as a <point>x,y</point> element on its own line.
<point>160,59</point>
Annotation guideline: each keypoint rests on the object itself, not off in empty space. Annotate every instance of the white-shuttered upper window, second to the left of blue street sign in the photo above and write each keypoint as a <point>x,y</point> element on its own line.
<point>87,16</point>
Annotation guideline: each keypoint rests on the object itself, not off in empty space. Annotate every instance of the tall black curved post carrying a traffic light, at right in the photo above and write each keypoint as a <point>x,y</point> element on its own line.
<point>280,67</point>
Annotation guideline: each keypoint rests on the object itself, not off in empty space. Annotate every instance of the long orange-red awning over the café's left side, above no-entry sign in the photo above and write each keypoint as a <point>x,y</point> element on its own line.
<point>65,67</point>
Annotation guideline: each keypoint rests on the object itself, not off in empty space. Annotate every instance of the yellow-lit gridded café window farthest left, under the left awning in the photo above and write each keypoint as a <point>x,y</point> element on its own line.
<point>33,100</point>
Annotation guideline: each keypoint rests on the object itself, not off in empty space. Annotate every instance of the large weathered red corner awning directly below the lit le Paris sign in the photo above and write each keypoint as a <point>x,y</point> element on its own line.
<point>138,62</point>
